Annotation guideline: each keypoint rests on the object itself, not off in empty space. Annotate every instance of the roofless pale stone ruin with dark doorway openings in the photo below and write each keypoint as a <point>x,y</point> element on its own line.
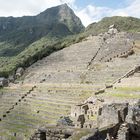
<point>85,115</point>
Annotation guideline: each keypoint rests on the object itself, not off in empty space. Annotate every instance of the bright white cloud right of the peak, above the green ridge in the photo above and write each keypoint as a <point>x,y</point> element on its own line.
<point>93,13</point>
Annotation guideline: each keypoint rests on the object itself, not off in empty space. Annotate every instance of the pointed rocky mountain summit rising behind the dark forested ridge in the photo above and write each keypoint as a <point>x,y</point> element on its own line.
<point>62,14</point>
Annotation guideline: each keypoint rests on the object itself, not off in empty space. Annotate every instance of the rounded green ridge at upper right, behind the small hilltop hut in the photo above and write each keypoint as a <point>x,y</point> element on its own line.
<point>128,24</point>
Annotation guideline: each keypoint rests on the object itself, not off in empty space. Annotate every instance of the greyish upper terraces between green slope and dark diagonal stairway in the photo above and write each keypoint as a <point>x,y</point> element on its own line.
<point>69,63</point>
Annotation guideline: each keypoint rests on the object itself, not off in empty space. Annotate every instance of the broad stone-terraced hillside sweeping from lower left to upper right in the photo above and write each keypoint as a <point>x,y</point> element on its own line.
<point>67,77</point>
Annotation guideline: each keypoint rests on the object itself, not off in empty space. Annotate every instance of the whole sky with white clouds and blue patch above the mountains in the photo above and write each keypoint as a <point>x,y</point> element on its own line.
<point>88,11</point>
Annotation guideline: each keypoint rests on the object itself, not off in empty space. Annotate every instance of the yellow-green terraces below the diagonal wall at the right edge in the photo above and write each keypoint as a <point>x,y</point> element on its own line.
<point>126,90</point>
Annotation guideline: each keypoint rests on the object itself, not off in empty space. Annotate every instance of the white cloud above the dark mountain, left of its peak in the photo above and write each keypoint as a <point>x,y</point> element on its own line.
<point>28,7</point>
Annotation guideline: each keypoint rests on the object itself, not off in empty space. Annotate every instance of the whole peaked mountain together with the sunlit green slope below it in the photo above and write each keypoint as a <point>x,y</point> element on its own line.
<point>27,39</point>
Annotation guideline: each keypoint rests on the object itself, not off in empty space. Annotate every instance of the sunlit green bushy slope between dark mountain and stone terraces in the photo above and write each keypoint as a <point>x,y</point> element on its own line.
<point>36,51</point>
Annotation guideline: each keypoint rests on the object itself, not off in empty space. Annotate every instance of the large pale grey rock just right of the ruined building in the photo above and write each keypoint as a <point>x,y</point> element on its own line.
<point>112,114</point>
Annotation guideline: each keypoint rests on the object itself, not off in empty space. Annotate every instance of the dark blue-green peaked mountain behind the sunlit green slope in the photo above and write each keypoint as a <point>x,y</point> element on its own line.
<point>58,21</point>
